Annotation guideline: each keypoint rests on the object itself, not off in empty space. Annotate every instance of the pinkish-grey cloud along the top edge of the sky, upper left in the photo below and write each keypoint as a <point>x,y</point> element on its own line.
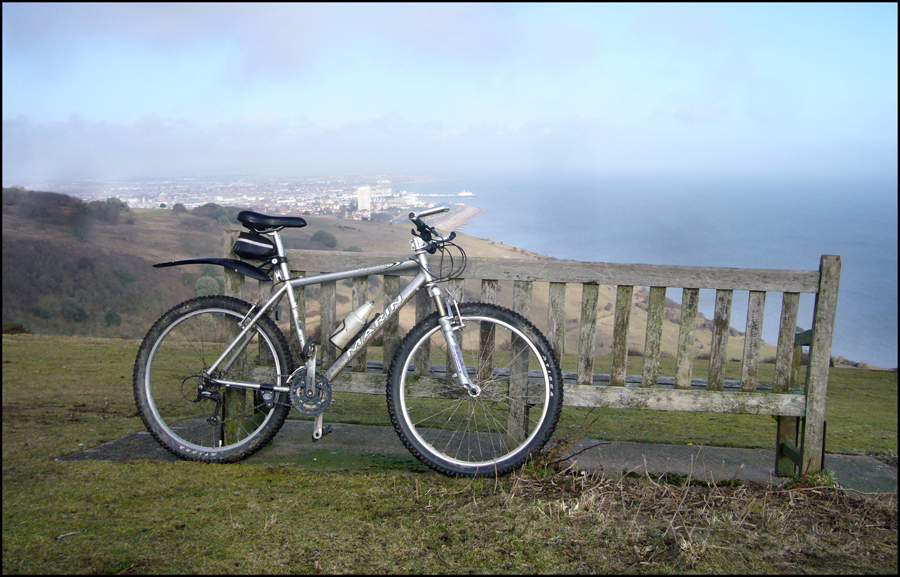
<point>283,42</point>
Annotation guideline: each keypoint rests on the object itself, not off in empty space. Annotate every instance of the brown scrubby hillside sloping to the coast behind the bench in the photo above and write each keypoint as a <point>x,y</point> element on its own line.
<point>73,268</point>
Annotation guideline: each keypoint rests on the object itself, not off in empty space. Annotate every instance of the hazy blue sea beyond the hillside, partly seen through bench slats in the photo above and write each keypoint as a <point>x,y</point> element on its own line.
<point>708,221</point>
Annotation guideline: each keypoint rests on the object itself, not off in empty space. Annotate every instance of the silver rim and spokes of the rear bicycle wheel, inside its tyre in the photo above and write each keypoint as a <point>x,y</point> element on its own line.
<point>190,344</point>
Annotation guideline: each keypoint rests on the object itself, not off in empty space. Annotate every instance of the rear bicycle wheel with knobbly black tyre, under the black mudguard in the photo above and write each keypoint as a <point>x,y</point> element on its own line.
<point>189,415</point>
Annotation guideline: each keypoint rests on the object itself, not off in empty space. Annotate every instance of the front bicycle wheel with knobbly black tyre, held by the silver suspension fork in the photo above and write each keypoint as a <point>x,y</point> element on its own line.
<point>494,429</point>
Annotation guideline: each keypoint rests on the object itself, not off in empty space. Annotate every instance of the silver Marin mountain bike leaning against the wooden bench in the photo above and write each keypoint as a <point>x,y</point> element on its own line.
<point>214,378</point>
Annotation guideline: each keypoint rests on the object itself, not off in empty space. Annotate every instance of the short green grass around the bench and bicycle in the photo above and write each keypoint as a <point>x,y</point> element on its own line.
<point>63,394</point>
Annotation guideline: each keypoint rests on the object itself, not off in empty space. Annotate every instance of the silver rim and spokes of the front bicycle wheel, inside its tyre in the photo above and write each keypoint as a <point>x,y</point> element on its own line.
<point>476,432</point>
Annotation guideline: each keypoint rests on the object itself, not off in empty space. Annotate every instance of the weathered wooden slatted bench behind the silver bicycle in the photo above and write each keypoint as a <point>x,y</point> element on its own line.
<point>796,400</point>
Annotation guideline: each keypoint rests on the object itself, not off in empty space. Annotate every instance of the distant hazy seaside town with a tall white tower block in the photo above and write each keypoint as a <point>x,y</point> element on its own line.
<point>357,197</point>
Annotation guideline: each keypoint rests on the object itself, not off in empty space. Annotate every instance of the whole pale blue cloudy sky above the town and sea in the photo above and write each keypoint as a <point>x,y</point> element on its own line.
<point>104,91</point>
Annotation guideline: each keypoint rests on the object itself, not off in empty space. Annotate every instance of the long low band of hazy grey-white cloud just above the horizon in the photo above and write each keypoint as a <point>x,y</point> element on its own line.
<point>268,144</point>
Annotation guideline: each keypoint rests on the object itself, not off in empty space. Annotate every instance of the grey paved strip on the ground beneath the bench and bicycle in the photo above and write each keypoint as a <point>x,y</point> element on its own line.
<point>294,446</point>
